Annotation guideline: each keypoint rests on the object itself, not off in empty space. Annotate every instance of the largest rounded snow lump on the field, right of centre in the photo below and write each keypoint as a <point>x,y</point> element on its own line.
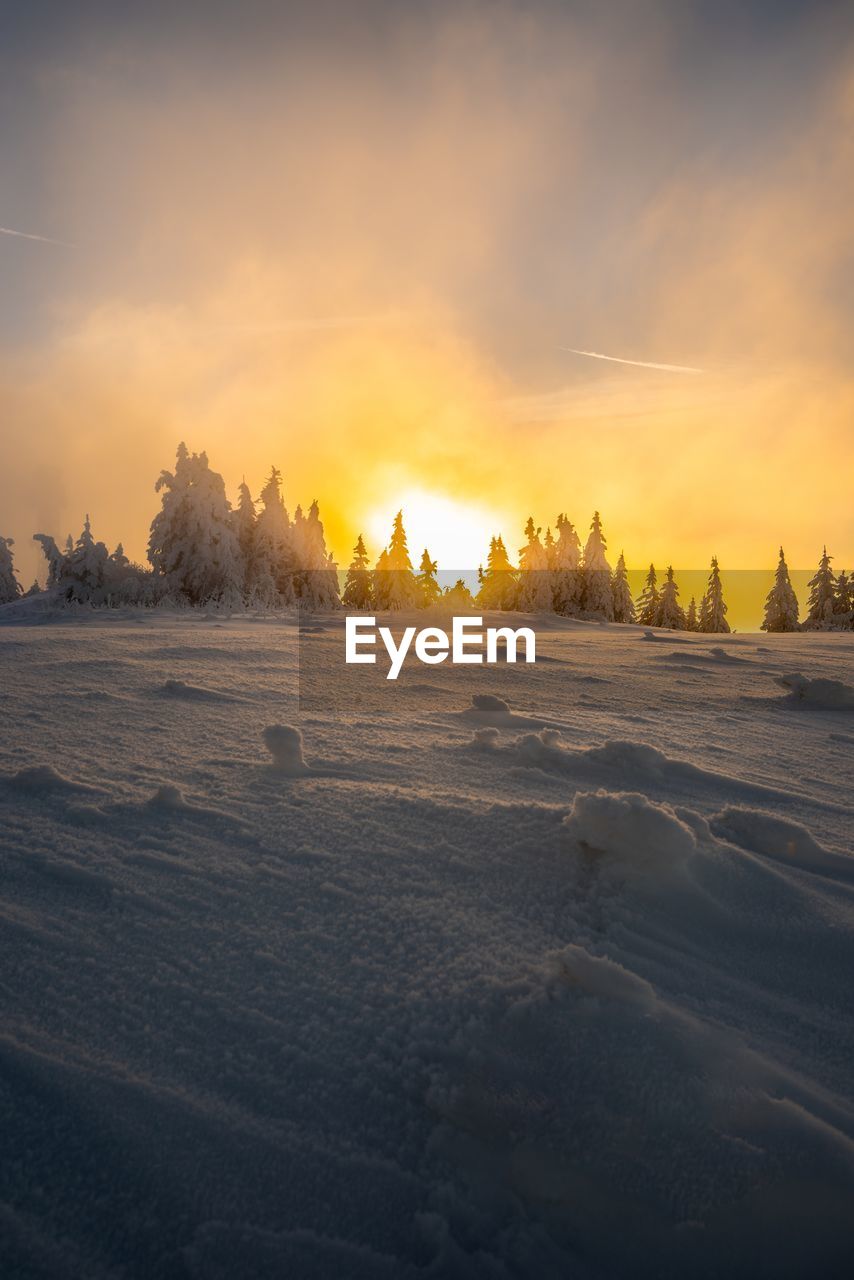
<point>629,829</point>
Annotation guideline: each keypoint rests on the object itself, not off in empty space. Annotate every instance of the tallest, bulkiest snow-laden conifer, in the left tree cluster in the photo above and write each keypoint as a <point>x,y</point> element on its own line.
<point>193,546</point>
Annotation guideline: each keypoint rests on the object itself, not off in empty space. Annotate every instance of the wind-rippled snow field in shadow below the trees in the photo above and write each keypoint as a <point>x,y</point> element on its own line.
<point>556,984</point>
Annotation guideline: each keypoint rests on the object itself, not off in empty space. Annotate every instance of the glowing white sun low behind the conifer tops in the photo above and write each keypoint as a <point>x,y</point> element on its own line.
<point>456,533</point>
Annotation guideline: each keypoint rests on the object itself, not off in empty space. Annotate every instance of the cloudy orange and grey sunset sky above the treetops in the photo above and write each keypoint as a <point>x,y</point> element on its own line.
<point>372,243</point>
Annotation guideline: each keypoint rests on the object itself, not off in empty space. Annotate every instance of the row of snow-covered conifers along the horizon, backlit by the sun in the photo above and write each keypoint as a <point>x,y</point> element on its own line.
<point>203,551</point>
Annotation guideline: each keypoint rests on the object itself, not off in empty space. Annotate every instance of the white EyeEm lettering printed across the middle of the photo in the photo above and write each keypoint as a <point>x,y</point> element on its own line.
<point>433,646</point>
